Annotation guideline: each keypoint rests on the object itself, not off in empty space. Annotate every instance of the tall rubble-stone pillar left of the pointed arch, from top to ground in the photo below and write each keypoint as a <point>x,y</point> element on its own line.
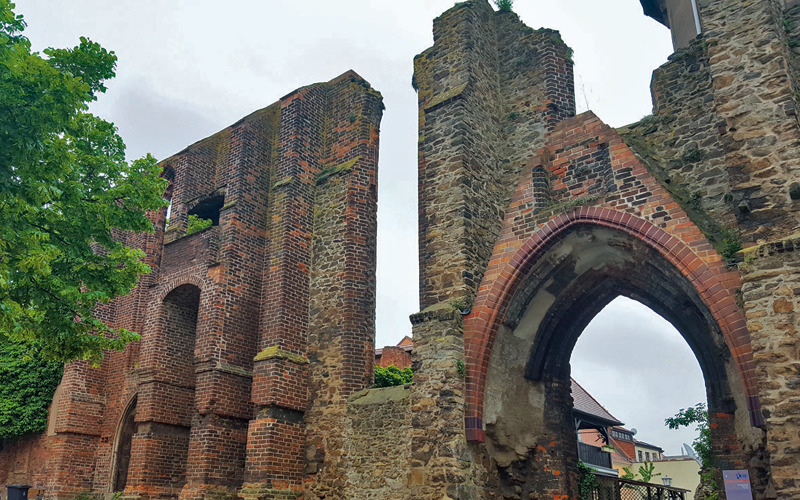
<point>489,90</point>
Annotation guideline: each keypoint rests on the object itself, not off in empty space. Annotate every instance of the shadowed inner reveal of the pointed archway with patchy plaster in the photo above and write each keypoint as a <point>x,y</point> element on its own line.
<point>527,405</point>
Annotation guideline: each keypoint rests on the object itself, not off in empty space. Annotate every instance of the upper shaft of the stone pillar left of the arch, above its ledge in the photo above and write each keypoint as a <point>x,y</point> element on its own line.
<point>488,91</point>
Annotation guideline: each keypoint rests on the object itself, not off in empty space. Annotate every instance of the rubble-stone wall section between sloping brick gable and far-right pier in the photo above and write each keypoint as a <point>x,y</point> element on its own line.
<point>680,142</point>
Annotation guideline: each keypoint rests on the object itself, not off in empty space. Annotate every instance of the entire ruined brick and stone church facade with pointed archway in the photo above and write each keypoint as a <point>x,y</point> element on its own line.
<point>252,377</point>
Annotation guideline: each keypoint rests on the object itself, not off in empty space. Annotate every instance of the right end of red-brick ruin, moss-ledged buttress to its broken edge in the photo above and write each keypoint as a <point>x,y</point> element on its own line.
<point>318,285</point>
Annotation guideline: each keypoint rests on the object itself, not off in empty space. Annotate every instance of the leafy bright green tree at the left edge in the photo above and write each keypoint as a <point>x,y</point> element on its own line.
<point>65,191</point>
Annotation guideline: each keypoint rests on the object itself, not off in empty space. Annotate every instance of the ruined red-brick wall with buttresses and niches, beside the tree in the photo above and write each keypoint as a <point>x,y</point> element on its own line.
<point>220,379</point>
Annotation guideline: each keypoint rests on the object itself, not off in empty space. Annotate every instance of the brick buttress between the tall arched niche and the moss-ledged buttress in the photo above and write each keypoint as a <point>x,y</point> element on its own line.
<point>224,358</point>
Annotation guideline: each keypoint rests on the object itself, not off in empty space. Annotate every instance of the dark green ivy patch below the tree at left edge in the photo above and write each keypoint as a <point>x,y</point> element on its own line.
<point>27,385</point>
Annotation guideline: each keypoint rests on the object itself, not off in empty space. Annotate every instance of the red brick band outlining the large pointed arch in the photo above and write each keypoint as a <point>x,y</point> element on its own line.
<point>711,280</point>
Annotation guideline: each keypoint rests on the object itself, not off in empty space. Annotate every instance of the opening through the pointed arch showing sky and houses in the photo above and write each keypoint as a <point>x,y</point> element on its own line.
<point>632,364</point>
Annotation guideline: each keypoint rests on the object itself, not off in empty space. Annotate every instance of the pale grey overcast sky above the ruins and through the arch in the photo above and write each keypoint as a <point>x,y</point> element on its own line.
<point>187,69</point>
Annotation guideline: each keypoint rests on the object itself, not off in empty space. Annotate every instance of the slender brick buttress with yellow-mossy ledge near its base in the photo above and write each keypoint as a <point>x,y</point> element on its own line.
<point>276,436</point>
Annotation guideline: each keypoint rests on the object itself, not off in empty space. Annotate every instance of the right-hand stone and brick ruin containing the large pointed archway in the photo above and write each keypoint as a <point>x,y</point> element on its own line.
<point>713,169</point>
